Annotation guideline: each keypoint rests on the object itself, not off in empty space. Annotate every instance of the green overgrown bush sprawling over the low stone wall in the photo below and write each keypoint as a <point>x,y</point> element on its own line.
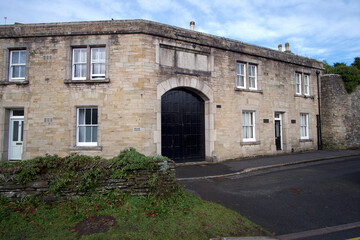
<point>85,172</point>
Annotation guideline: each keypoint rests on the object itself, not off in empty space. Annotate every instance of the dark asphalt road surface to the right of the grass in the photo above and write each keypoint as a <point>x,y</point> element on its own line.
<point>290,200</point>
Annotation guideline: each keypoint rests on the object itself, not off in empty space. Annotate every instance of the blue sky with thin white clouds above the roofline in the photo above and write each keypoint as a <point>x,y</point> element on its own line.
<point>320,29</point>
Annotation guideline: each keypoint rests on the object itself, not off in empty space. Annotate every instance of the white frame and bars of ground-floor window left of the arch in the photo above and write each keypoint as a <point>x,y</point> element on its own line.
<point>91,125</point>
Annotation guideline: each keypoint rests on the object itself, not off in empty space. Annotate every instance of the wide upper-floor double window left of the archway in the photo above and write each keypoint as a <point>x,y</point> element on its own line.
<point>81,63</point>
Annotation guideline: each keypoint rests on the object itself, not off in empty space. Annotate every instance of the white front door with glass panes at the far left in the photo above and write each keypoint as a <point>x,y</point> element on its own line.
<point>16,137</point>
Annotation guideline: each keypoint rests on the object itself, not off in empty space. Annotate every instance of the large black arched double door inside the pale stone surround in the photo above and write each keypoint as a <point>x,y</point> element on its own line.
<point>182,126</point>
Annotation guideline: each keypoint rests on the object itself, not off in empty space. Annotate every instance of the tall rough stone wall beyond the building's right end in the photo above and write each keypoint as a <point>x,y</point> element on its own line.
<point>340,114</point>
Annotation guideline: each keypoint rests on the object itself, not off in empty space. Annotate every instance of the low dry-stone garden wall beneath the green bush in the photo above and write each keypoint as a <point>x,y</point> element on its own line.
<point>138,184</point>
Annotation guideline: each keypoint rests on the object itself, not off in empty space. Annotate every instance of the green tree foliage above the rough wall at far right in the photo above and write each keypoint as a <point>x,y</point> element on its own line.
<point>350,74</point>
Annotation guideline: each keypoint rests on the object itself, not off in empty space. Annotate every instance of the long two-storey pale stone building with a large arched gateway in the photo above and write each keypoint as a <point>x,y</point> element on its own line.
<point>98,87</point>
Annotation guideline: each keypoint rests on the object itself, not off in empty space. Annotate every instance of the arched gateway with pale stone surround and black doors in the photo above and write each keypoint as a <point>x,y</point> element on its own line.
<point>185,126</point>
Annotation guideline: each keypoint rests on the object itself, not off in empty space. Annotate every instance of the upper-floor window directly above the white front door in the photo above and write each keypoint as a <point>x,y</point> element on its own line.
<point>17,65</point>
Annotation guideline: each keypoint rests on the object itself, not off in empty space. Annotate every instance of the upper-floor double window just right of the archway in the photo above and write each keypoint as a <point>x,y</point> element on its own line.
<point>246,79</point>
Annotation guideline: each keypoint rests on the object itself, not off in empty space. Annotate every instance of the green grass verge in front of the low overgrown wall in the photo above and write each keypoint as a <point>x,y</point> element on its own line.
<point>180,216</point>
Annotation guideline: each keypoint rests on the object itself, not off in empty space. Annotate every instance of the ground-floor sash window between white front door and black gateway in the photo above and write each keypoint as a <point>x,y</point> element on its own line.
<point>87,126</point>
